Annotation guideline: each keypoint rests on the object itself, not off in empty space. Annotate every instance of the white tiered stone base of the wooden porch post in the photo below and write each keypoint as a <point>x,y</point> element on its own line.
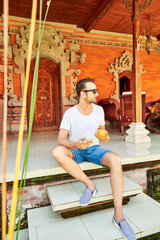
<point>137,133</point>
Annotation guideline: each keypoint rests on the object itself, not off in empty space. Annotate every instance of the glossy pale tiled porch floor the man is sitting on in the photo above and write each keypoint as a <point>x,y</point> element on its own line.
<point>41,163</point>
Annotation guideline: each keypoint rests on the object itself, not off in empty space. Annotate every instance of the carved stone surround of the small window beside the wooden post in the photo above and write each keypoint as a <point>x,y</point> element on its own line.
<point>121,64</point>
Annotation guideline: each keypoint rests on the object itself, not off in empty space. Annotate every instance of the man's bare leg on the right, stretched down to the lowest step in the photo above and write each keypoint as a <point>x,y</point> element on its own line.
<point>113,161</point>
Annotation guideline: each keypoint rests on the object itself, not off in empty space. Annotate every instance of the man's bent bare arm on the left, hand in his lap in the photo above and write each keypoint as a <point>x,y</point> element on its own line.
<point>63,141</point>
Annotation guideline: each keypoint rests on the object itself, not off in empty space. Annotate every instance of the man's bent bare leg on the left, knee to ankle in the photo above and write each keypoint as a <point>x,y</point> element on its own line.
<point>64,157</point>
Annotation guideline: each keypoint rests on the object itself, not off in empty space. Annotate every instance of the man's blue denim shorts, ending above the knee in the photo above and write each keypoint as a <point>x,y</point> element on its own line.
<point>92,154</point>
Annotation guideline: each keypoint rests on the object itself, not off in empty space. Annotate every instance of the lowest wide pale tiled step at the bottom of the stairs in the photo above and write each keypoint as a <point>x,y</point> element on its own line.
<point>142,213</point>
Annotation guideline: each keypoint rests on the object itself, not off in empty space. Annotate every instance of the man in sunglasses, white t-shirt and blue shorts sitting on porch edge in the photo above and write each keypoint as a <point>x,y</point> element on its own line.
<point>81,122</point>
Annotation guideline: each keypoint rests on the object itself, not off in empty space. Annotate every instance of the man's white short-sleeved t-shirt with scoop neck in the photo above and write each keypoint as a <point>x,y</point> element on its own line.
<point>80,125</point>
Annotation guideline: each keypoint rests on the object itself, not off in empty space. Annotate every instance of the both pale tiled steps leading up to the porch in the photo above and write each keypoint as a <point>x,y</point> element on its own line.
<point>46,223</point>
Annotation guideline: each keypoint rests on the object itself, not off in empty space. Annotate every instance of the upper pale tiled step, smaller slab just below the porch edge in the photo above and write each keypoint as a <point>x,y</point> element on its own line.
<point>66,196</point>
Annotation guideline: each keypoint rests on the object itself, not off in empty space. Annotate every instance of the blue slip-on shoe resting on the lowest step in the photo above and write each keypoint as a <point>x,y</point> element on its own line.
<point>125,229</point>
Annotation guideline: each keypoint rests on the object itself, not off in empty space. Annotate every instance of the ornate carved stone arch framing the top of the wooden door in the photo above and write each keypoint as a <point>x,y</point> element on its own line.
<point>53,46</point>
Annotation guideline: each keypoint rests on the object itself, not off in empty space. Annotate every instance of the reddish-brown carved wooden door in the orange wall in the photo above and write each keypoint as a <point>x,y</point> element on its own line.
<point>47,107</point>
